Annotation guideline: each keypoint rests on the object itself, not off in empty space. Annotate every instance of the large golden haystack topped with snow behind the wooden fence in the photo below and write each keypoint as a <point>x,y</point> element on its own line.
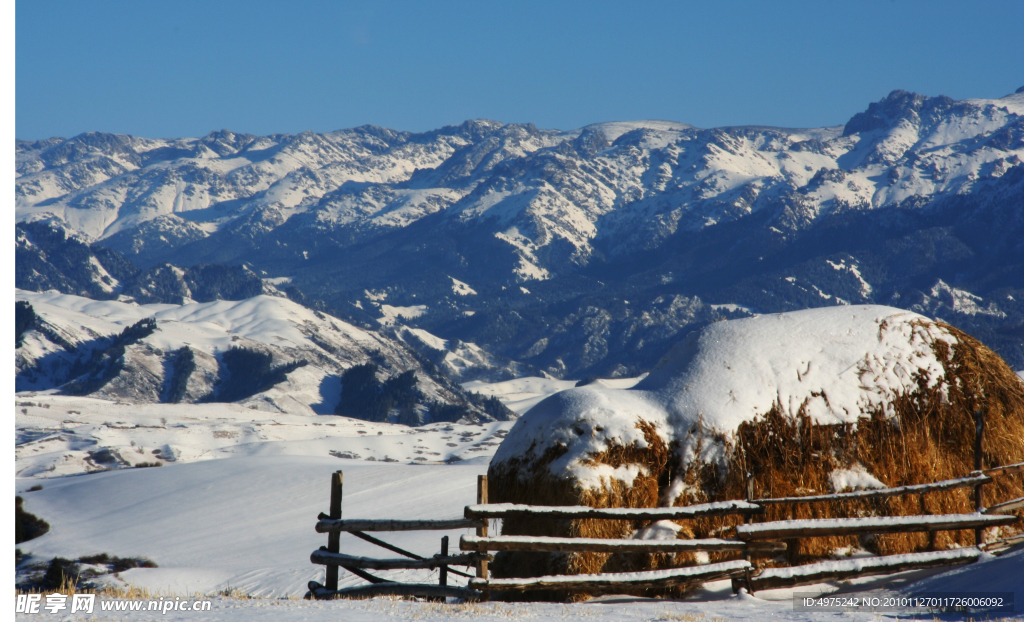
<point>809,402</point>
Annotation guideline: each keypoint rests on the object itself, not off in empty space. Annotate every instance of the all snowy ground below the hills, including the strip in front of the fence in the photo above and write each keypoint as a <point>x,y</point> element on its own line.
<point>236,509</point>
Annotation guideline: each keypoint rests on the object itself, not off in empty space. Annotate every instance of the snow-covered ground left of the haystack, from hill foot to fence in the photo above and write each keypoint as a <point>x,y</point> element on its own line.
<point>236,502</point>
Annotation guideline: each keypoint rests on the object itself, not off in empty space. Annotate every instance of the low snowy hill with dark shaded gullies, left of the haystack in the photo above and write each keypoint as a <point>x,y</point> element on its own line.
<point>71,345</point>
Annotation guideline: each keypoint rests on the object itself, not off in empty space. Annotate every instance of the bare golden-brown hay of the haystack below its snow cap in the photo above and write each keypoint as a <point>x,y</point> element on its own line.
<point>931,438</point>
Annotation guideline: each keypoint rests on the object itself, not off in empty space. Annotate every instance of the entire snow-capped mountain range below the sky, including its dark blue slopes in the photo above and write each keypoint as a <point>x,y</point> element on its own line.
<point>573,242</point>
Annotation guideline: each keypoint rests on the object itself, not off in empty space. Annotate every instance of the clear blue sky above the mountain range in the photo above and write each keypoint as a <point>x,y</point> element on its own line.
<point>185,69</point>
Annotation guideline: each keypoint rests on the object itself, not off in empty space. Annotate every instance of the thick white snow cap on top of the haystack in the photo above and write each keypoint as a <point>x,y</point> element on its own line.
<point>838,363</point>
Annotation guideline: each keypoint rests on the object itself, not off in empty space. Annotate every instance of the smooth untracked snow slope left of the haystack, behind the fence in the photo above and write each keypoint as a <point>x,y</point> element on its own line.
<point>243,523</point>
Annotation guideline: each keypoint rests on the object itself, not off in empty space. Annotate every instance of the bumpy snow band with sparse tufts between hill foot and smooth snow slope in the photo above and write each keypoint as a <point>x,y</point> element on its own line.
<point>62,436</point>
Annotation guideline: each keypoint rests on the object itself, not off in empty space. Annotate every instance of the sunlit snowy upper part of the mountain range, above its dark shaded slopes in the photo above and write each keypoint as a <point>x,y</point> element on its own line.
<point>630,183</point>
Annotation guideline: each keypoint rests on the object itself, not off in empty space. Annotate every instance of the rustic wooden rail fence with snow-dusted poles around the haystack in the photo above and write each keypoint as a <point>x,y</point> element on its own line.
<point>752,540</point>
